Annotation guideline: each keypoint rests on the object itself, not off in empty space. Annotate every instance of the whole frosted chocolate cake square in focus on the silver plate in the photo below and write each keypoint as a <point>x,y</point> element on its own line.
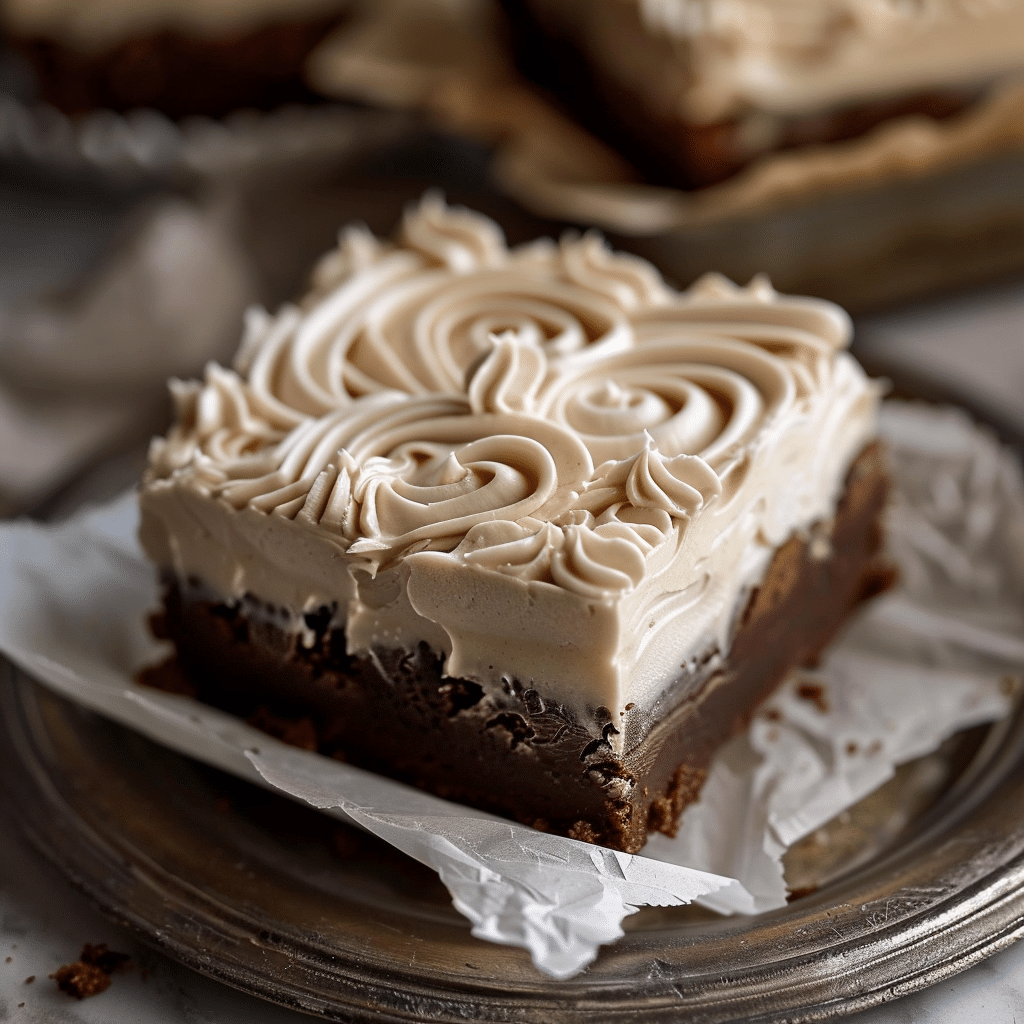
<point>526,528</point>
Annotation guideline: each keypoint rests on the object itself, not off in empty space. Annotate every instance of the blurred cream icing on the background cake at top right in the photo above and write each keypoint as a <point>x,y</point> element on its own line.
<point>712,60</point>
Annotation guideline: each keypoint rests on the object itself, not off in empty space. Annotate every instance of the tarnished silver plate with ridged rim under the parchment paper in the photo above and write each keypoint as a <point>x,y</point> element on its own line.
<point>919,882</point>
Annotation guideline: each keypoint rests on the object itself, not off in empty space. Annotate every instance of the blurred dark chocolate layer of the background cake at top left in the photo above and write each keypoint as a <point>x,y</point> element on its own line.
<point>180,75</point>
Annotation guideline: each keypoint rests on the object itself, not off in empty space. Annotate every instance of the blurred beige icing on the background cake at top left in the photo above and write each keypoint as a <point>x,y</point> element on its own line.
<point>95,25</point>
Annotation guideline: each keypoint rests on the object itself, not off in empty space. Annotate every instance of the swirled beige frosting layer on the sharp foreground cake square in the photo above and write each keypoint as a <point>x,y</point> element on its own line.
<point>542,461</point>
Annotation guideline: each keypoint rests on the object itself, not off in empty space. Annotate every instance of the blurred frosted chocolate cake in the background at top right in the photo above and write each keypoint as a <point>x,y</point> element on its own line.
<point>693,92</point>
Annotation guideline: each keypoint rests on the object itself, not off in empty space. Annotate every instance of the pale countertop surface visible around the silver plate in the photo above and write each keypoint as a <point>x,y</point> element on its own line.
<point>975,340</point>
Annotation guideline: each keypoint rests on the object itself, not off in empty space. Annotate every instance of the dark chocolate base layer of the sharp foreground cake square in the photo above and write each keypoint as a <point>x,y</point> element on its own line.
<point>516,753</point>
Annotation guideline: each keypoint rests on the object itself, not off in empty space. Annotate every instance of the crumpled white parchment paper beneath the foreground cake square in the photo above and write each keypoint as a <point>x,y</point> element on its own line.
<point>941,654</point>
